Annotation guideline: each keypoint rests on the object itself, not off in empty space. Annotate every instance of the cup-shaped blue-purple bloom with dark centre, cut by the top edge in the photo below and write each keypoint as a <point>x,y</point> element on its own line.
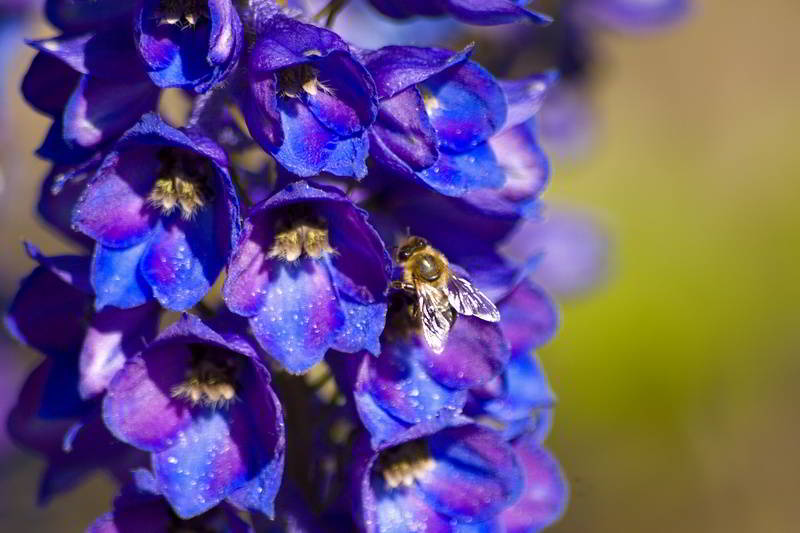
<point>193,44</point>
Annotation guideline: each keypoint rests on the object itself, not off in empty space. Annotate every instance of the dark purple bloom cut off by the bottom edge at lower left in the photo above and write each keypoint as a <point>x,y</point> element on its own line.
<point>140,507</point>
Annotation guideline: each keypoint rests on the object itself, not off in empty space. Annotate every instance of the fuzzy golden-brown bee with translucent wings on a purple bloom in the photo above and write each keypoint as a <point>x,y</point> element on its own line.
<point>439,293</point>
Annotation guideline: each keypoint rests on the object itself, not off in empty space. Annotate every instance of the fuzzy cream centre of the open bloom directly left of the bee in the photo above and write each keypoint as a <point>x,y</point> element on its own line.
<point>306,235</point>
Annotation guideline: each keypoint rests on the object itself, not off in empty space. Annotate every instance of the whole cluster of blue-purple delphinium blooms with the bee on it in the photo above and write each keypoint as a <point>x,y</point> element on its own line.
<point>293,311</point>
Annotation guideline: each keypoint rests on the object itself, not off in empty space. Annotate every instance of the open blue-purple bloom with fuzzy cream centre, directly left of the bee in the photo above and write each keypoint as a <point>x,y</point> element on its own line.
<point>310,273</point>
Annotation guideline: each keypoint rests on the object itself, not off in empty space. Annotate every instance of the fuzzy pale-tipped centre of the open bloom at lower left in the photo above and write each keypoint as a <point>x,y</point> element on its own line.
<point>208,382</point>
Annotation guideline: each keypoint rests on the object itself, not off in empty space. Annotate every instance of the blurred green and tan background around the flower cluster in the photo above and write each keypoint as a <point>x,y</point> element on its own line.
<point>677,378</point>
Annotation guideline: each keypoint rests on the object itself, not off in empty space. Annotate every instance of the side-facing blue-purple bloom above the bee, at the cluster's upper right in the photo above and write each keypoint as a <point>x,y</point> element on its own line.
<point>447,122</point>
